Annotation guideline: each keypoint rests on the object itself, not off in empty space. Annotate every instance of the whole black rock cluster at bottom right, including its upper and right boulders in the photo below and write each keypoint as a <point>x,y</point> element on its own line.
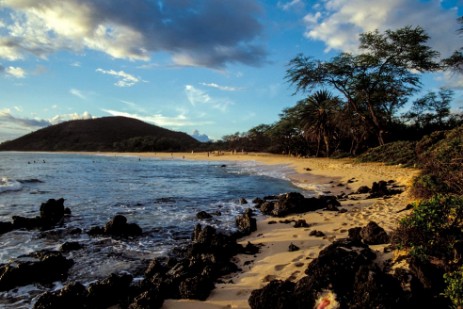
<point>347,271</point>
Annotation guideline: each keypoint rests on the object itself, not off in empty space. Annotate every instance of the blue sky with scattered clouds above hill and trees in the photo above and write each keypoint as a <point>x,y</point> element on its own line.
<point>214,67</point>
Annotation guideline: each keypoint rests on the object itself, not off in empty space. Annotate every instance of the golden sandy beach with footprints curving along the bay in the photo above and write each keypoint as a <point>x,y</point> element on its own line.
<point>275,261</point>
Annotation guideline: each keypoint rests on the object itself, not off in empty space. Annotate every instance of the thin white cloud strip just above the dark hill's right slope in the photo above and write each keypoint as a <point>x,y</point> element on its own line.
<point>180,120</point>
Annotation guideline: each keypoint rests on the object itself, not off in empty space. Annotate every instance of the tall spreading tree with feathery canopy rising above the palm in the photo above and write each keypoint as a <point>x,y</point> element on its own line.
<point>376,82</point>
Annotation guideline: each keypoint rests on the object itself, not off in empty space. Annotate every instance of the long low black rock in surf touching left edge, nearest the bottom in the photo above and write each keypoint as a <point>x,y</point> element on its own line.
<point>41,267</point>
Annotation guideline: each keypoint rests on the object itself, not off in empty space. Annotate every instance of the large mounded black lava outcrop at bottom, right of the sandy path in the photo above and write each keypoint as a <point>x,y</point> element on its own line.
<point>346,268</point>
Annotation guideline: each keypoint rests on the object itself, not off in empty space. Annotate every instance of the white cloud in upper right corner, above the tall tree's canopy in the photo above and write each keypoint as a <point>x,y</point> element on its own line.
<point>339,22</point>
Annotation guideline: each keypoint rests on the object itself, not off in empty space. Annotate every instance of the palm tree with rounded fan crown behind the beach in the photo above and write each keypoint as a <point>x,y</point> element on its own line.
<point>316,115</point>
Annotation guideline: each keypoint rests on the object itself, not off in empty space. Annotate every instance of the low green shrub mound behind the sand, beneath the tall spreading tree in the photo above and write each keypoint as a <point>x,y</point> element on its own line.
<point>401,152</point>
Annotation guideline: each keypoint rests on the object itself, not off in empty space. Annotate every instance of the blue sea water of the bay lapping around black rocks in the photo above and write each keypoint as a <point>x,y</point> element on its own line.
<point>162,196</point>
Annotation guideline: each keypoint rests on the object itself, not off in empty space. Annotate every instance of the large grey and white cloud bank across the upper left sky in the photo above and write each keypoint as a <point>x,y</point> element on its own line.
<point>206,33</point>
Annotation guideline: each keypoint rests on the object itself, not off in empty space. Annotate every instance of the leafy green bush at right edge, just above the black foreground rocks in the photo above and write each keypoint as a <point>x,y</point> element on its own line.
<point>433,227</point>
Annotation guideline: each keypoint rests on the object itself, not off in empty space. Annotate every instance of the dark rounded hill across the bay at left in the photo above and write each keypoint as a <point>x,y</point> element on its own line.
<point>102,134</point>
